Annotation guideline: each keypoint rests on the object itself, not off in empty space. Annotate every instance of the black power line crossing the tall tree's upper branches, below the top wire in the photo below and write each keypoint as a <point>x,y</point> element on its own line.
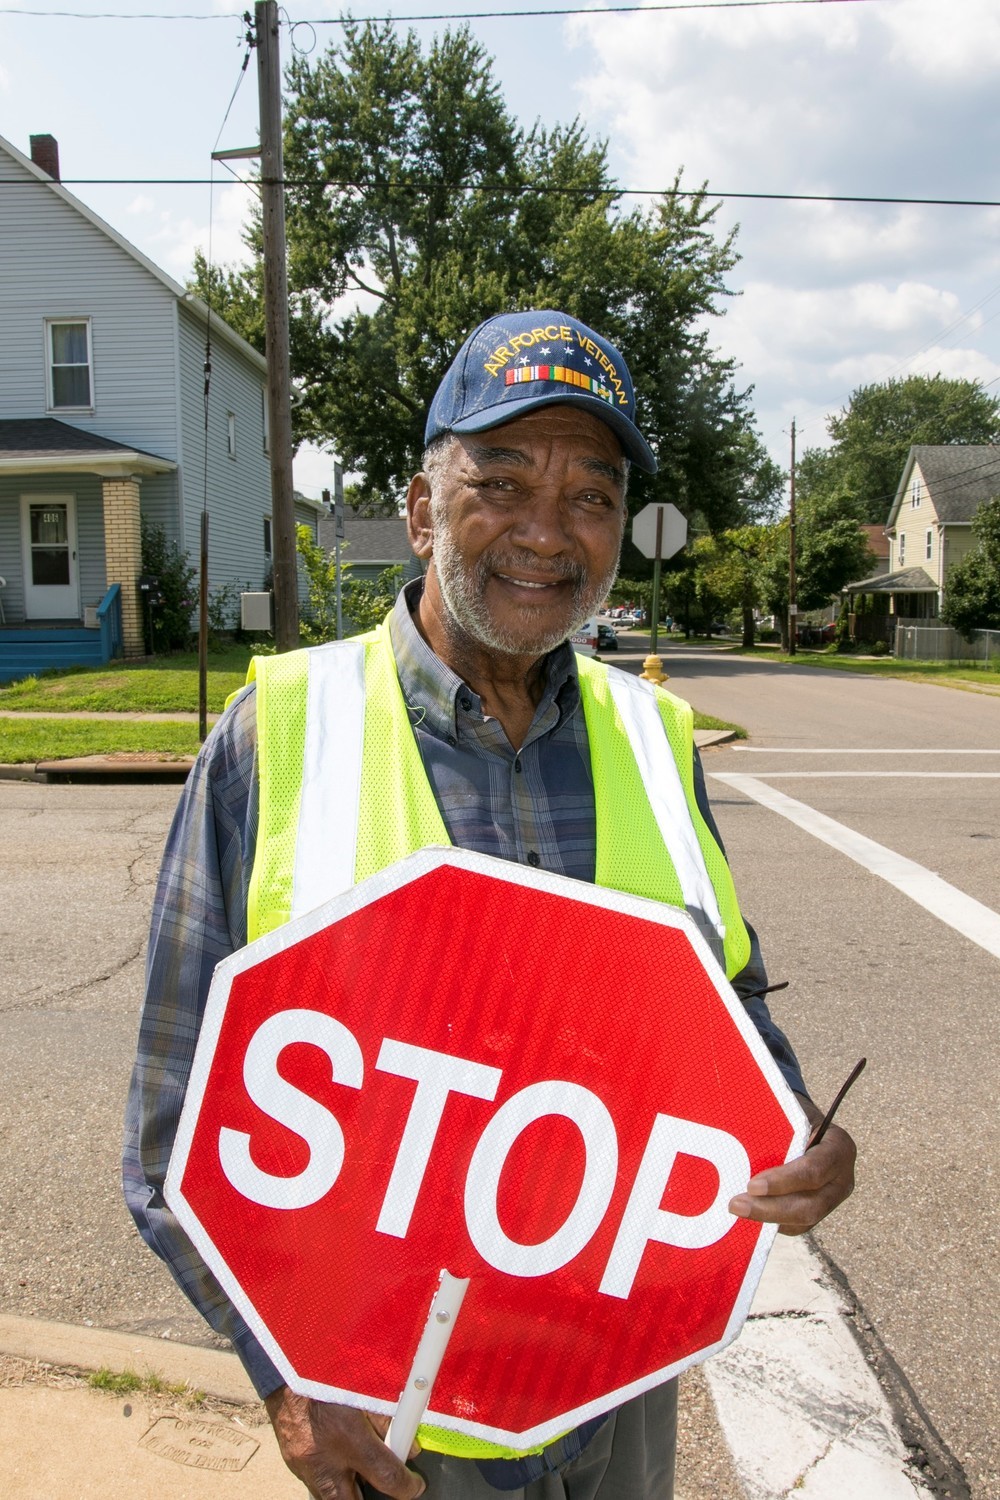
<point>518,190</point>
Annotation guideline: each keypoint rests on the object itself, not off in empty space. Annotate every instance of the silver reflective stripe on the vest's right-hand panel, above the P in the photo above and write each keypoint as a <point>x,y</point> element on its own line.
<point>648,739</point>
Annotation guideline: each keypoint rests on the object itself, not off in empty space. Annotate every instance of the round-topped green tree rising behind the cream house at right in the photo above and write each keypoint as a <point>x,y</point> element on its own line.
<point>875,433</point>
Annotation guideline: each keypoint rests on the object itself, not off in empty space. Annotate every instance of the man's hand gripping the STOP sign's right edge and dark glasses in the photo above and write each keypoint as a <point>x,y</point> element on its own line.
<point>804,1192</point>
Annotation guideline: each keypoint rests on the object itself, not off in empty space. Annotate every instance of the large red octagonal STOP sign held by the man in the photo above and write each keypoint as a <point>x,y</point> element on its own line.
<point>466,1064</point>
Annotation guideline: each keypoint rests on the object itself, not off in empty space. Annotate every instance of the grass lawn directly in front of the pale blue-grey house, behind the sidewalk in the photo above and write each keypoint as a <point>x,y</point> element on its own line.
<point>157,686</point>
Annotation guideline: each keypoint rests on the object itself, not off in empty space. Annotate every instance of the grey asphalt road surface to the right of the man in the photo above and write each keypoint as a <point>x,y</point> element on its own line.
<point>876,973</point>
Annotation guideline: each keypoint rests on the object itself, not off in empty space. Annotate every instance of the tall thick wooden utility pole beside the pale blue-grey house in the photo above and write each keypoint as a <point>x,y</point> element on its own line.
<point>269,74</point>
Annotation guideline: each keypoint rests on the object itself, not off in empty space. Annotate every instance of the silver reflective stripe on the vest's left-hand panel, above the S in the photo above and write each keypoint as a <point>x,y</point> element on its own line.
<point>328,835</point>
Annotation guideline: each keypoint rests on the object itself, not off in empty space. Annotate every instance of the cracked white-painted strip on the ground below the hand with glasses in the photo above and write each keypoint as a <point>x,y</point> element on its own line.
<point>801,1412</point>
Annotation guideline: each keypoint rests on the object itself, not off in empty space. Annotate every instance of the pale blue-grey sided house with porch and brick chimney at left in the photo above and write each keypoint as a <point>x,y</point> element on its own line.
<point>103,422</point>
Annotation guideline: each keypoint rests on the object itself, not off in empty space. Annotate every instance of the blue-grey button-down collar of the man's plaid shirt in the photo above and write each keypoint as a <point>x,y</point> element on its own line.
<point>436,692</point>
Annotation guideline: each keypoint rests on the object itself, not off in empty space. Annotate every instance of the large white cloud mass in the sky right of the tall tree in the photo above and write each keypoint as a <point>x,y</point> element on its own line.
<point>875,101</point>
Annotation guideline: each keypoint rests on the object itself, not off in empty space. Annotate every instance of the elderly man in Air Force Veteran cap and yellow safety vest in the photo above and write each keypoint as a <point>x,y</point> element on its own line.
<point>490,734</point>
